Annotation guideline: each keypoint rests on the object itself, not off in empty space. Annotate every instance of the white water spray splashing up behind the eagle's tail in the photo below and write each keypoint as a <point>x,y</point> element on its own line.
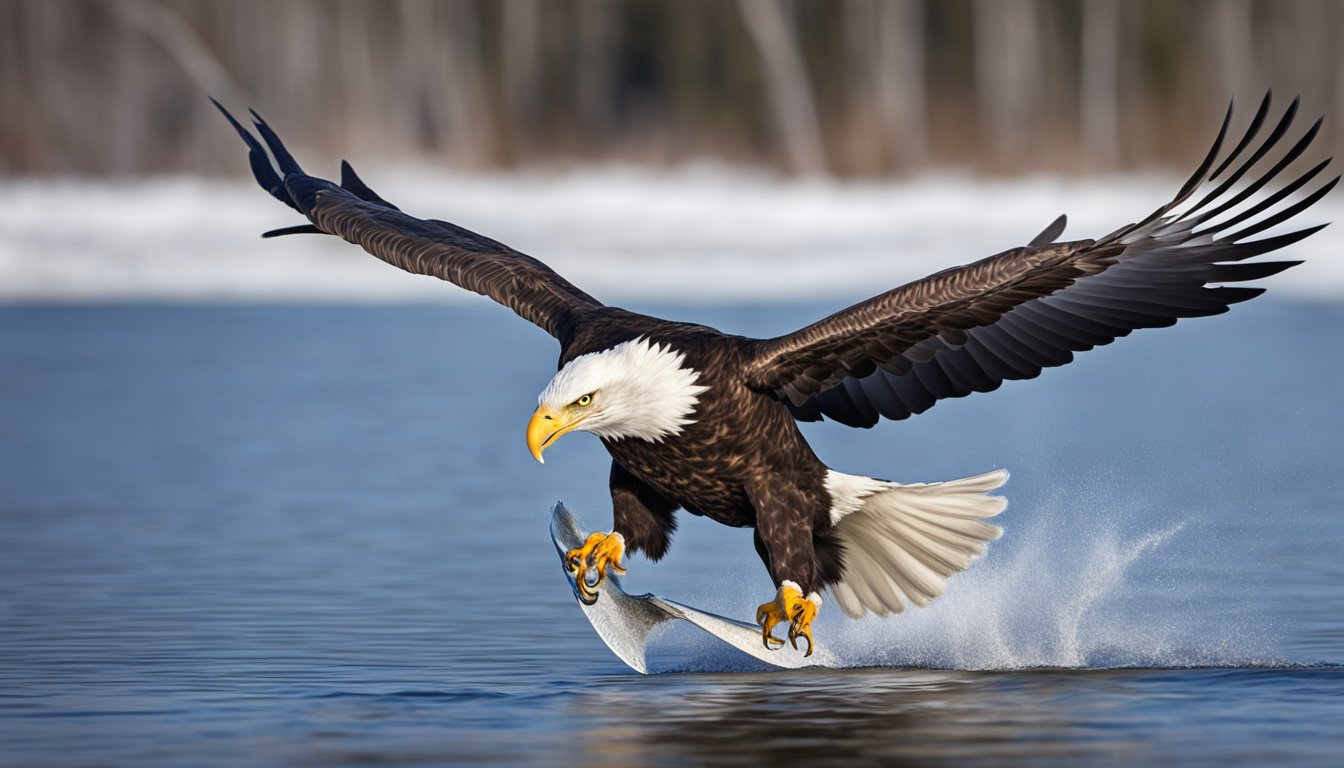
<point>1056,595</point>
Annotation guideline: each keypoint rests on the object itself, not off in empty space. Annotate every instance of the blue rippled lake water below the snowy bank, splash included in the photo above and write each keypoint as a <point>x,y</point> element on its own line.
<point>314,536</point>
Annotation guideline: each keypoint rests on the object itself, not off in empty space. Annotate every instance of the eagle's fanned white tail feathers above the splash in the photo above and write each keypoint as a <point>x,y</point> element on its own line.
<point>904,543</point>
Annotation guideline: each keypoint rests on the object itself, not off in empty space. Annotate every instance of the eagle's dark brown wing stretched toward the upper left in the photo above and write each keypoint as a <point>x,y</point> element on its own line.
<point>424,247</point>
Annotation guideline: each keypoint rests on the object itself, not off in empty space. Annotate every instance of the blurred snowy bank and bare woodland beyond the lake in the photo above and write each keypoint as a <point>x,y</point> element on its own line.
<point>704,150</point>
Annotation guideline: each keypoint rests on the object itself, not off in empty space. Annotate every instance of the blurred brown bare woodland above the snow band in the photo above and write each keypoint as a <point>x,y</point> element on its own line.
<point>851,88</point>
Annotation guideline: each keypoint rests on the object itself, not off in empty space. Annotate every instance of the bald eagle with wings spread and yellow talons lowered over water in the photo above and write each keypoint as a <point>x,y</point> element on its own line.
<point>708,422</point>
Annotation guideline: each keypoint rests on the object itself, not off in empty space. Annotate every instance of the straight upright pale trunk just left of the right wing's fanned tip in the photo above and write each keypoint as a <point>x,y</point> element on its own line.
<point>1100,84</point>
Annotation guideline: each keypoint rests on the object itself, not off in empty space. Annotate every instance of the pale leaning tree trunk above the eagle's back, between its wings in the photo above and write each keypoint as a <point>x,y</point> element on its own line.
<point>787,79</point>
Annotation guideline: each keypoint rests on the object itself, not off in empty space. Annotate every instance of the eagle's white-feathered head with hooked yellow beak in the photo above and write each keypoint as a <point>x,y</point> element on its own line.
<point>635,389</point>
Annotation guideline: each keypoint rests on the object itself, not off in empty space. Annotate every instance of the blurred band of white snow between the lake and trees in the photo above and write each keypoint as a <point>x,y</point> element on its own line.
<point>694,235</point>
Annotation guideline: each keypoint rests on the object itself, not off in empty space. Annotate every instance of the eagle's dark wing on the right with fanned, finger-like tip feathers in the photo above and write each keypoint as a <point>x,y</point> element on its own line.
<point>1011,315</point>
